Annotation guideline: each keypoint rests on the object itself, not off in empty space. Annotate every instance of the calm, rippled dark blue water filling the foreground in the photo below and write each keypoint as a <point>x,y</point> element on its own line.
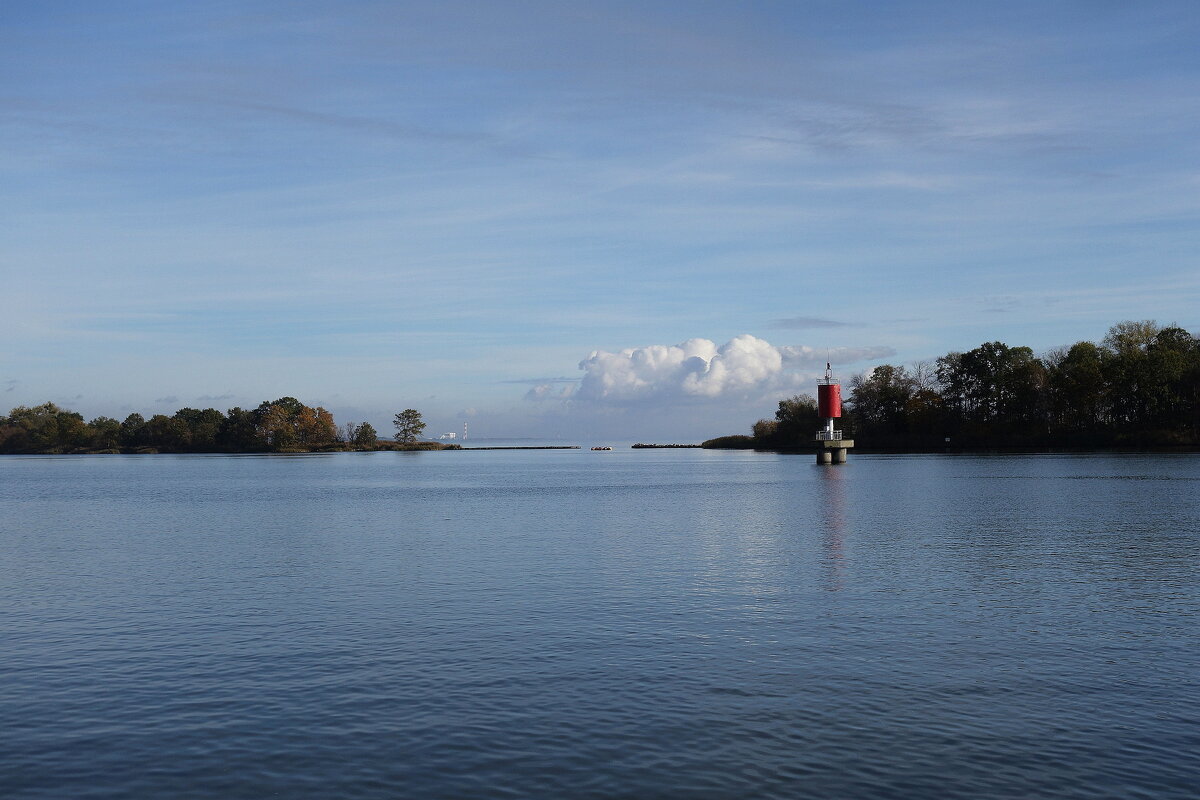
<point>629,624</point>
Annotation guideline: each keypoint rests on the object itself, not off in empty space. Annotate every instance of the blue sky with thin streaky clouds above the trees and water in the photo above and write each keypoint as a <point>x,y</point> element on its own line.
<point>578,220</point>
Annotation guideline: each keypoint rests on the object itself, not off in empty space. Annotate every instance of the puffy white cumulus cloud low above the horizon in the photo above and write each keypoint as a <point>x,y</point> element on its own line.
<point>697,371</point>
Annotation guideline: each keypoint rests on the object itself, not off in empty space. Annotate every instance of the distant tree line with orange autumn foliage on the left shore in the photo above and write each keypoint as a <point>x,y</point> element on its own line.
<point>279,426</point>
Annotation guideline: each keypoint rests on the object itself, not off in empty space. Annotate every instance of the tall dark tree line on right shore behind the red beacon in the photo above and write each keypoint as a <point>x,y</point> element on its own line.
<point>1138,387</point>
